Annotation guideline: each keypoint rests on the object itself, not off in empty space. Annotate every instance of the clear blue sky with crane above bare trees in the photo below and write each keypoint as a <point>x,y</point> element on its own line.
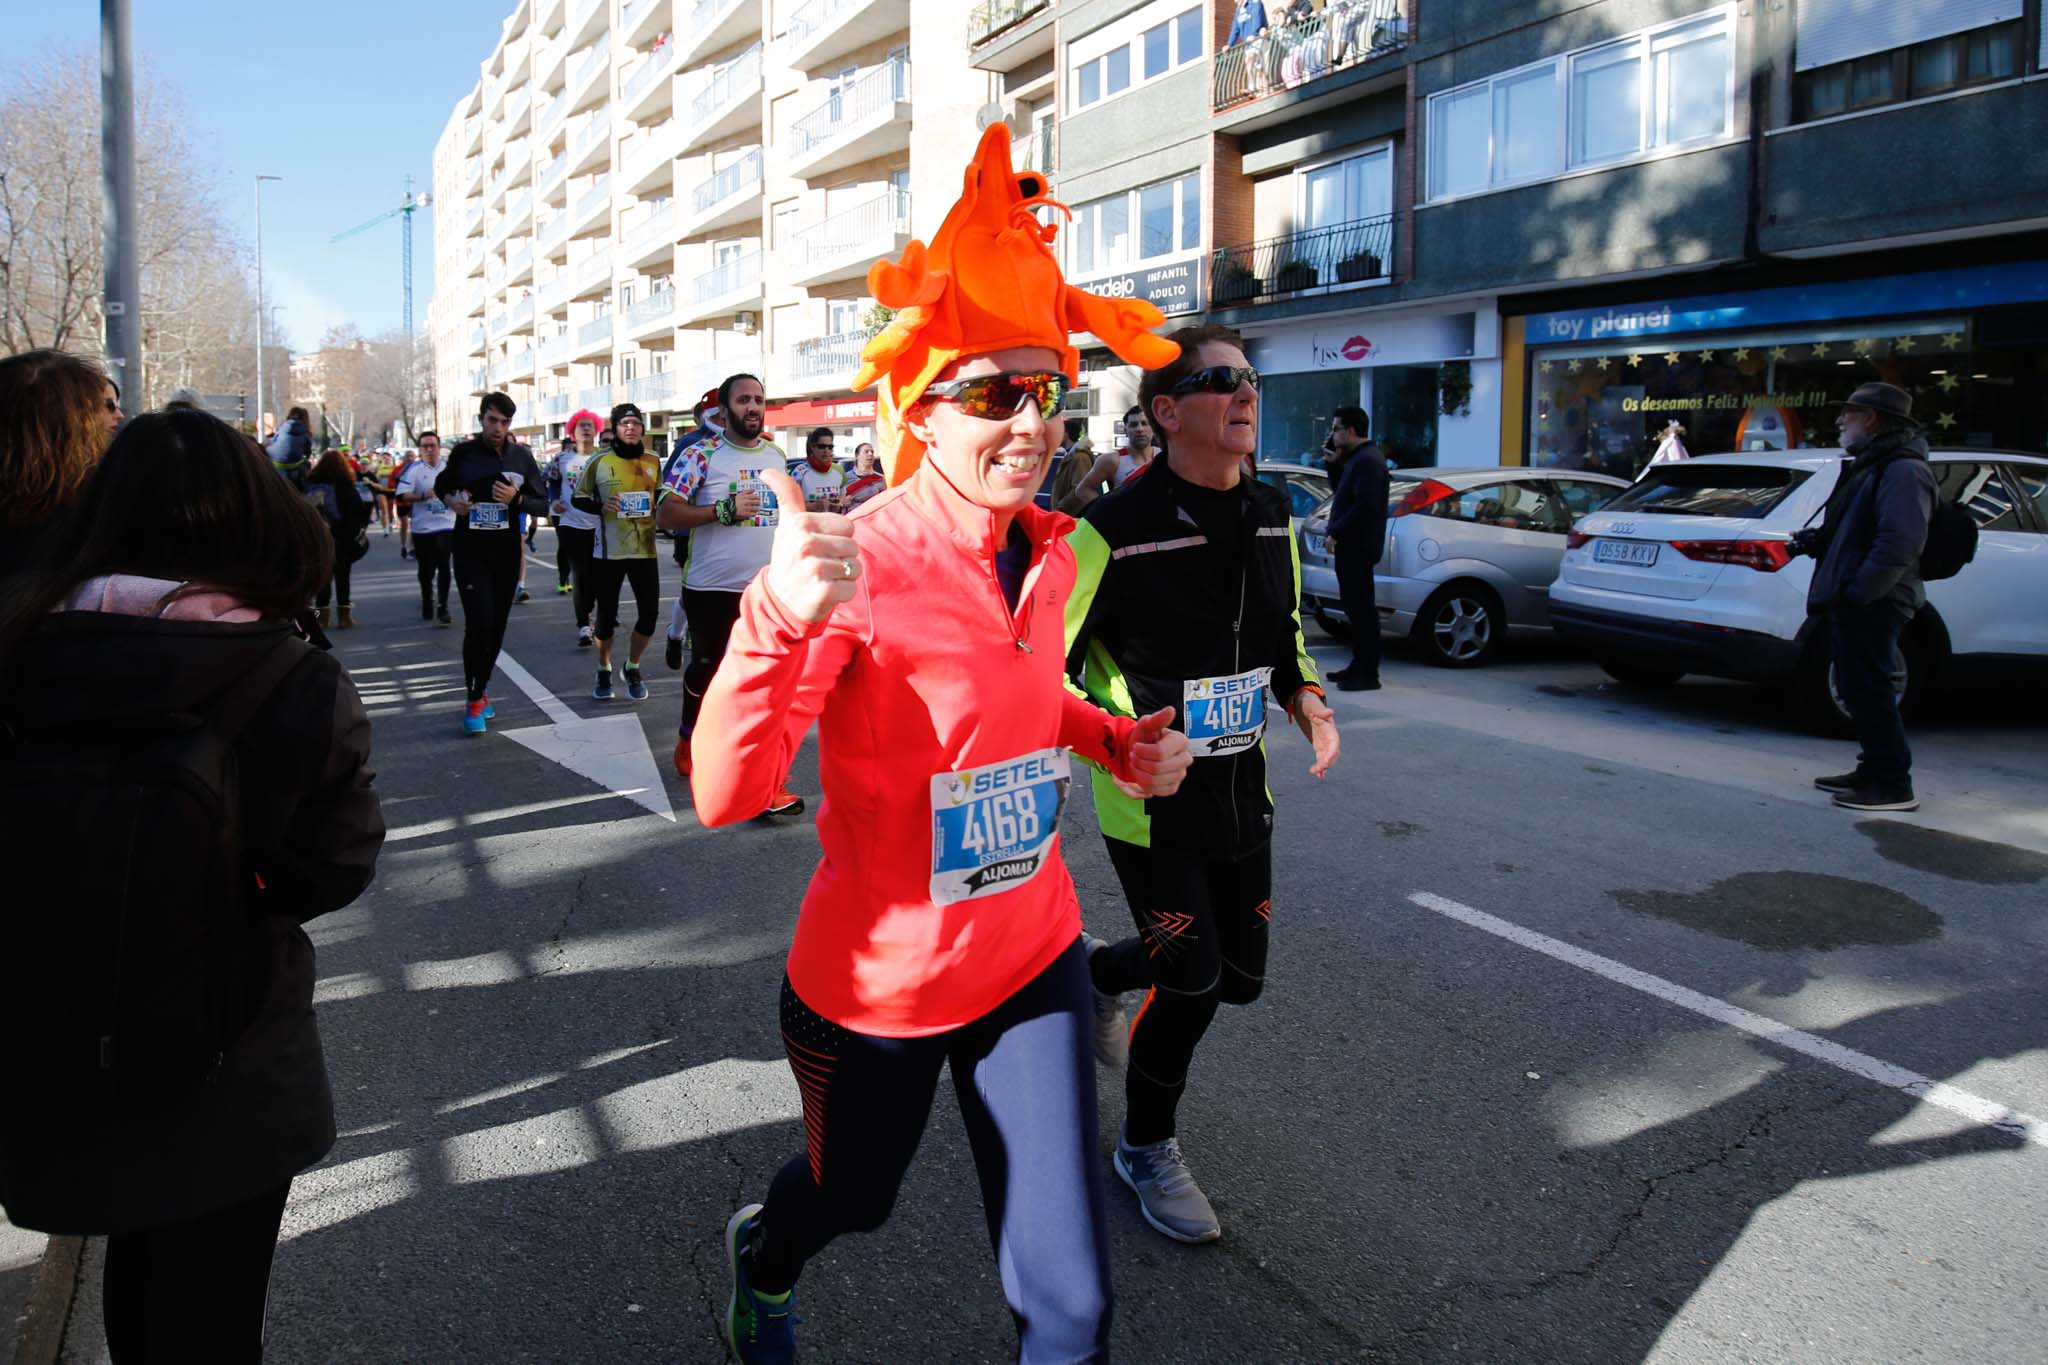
<point>343,99</point>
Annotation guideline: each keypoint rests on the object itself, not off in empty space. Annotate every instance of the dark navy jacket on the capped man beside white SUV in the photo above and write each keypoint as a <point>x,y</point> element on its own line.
<point>1877,527</point>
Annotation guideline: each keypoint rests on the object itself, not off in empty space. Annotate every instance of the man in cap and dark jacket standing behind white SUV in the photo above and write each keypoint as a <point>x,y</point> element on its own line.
<point>1869,584</point>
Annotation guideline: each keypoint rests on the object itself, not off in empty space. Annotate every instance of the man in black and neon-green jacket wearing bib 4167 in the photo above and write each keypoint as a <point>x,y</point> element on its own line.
<point>1189,597</point>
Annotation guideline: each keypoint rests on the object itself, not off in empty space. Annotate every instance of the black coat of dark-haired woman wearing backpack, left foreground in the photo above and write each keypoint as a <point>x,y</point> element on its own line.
<point>314,832</point>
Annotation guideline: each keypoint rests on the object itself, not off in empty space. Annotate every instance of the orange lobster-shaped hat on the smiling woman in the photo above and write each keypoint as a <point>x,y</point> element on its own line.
<point>986,283</point>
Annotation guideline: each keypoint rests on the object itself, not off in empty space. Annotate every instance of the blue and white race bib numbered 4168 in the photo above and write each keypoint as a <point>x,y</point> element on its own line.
<point>992,826</point>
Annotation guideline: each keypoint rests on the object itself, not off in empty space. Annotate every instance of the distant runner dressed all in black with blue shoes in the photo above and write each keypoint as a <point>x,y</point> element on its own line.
<point>488,482</point>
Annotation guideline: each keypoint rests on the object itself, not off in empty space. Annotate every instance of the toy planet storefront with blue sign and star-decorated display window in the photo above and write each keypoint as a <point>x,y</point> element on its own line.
<point>1768,371</point>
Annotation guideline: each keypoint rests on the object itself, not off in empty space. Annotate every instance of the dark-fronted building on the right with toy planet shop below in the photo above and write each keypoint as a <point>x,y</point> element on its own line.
<point>1537,234</point>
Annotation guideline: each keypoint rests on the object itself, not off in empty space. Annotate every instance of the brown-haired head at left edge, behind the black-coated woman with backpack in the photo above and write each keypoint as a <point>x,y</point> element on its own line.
<point>56,416</point>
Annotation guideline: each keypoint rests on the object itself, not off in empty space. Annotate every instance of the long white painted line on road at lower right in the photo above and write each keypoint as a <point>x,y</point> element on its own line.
<point>1926,1090</point>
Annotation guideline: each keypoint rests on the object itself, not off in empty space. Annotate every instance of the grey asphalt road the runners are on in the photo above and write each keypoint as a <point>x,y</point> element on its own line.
<point>552,1028</point>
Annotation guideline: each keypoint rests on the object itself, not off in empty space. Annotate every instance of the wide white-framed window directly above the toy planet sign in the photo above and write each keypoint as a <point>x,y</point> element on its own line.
<point>1652,91</point>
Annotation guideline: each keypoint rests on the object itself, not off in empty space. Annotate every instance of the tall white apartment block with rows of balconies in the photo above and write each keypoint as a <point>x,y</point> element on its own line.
<point>642,197</point>
